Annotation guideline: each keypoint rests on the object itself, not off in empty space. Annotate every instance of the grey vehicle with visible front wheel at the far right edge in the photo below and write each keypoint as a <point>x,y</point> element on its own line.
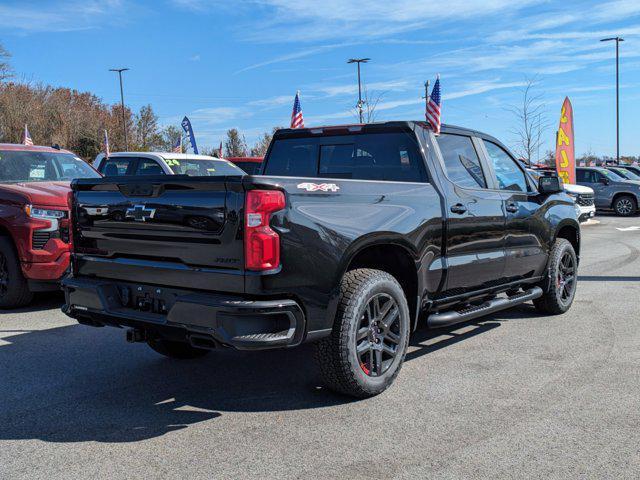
<point>611,190</point>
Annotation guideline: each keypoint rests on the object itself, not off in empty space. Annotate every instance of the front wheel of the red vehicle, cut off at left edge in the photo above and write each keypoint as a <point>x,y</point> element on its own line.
<point>14,290</point>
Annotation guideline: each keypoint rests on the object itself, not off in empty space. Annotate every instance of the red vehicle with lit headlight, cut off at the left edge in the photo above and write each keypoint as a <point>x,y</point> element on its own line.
<point>34,234</point>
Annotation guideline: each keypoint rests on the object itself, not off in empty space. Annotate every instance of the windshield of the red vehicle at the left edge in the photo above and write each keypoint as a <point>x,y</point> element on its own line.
<point>24,166</point>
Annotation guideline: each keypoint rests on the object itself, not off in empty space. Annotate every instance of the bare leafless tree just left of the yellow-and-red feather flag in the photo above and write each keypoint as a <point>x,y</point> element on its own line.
<point>531,123</point>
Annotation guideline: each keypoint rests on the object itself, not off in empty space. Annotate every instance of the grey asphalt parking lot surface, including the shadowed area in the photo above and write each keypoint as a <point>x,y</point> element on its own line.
<point>511,395</point>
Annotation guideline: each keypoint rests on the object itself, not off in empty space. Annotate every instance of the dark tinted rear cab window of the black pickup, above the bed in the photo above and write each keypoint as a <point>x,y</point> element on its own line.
<point>385,156</point>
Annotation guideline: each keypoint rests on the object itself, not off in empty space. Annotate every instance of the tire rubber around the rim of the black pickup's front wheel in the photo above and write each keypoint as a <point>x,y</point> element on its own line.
<point>552,301</point>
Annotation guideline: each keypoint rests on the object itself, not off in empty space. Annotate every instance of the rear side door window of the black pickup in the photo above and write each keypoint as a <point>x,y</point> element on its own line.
<point>461,161</point>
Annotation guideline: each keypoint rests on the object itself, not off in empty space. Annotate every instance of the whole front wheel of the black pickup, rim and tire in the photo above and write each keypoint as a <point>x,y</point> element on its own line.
<point>562,272</point>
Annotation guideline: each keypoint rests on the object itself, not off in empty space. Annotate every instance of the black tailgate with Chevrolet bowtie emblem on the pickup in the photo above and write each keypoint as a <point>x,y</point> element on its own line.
<point>171,230</point>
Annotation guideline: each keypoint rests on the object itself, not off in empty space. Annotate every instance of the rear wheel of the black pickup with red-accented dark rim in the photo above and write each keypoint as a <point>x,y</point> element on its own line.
<point>366,349</point>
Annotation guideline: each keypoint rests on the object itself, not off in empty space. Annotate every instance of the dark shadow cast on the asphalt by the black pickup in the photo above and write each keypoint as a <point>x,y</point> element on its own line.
<point>76,383</point>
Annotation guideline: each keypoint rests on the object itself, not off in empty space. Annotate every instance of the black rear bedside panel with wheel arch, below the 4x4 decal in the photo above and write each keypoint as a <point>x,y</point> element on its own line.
<point>321,232</point>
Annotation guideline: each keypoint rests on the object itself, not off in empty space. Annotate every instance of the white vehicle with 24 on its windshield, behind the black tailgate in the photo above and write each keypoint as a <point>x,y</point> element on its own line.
<point>162,163</point>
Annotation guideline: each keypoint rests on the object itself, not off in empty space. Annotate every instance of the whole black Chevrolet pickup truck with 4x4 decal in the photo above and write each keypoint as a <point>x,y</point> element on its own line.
<point>351,236</point>
